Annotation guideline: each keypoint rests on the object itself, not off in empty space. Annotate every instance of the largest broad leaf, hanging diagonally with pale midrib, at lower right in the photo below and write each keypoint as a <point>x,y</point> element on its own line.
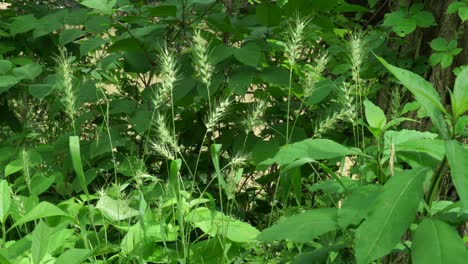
<point>393,212</point>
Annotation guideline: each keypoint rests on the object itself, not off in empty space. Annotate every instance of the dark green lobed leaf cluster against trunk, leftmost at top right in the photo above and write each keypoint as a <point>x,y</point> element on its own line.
<point>405,21</point>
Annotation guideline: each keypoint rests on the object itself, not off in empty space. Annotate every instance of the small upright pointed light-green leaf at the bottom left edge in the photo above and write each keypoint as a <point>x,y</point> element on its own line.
<point>40,242</point>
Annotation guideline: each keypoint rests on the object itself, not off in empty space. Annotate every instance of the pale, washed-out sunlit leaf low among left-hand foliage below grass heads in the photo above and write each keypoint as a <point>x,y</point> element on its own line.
<point>115,210</point>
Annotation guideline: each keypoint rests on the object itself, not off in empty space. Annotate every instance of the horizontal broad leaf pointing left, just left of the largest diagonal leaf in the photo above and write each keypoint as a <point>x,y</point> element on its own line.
<point>303,227</point>
